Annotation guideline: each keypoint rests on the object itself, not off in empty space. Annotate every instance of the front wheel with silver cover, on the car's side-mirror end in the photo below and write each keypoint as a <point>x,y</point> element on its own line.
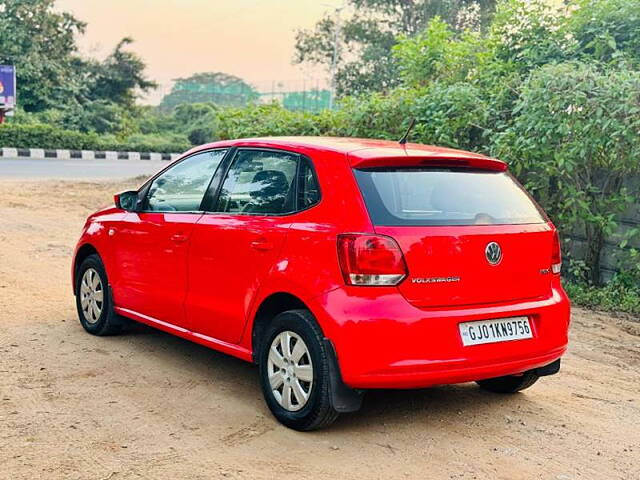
<point>93,299</point>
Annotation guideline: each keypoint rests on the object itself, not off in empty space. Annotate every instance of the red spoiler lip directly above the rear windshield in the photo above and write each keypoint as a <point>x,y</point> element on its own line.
<point>426,159</point>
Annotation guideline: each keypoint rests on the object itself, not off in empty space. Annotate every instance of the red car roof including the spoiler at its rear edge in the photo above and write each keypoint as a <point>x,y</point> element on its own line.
<point>363,152</point>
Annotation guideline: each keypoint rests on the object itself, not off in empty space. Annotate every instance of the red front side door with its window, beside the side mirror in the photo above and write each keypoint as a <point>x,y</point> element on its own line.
<point>152,245</point>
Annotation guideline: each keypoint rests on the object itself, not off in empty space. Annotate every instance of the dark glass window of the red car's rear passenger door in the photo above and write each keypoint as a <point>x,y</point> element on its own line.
<point>260,182</point>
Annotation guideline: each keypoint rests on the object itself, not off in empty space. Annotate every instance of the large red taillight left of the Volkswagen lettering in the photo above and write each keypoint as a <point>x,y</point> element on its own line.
<point>372,260</point>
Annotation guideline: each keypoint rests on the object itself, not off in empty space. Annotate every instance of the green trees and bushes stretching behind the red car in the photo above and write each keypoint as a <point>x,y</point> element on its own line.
<point>552,87</point>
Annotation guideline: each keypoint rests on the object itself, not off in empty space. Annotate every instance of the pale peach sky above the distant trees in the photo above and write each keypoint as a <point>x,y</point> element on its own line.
<point>253,39</point>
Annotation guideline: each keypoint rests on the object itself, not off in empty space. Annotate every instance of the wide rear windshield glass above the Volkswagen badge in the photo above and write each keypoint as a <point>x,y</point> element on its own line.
<point>444,196</point>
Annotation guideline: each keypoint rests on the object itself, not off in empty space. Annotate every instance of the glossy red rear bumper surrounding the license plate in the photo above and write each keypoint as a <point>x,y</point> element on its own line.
<point>382,341</point>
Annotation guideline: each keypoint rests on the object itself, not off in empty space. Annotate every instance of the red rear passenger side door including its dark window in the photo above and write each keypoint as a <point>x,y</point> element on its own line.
<point>234,245</point>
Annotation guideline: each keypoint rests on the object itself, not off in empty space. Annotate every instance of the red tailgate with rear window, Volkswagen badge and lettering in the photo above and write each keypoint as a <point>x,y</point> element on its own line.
<point>468,236</point>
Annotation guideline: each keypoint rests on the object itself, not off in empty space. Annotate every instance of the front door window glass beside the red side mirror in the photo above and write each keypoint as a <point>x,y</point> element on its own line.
<point>181,188</point>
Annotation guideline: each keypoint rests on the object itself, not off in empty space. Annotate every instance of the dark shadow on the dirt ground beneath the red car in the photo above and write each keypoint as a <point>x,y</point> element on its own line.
<point>389,408</point>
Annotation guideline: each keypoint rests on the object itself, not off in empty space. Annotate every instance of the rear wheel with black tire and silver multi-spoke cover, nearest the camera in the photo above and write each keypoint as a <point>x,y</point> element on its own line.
<point>280,370</point>
